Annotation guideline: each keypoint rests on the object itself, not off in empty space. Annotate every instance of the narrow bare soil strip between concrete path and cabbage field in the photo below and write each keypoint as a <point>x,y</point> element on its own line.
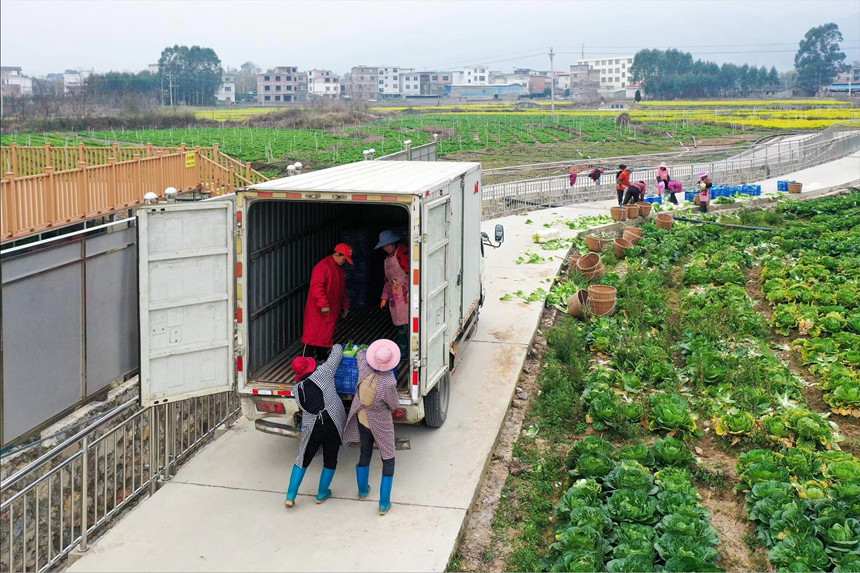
<point>477,536</point>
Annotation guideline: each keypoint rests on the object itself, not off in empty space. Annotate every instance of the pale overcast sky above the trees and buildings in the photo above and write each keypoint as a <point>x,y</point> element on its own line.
<point>44,36</point>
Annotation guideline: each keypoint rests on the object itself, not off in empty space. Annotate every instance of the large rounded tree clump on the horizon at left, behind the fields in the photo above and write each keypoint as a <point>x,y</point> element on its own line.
<point>193,74</point>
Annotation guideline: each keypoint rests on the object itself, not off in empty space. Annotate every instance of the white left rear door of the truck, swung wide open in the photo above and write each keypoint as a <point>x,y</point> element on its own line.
<point>186,279</point>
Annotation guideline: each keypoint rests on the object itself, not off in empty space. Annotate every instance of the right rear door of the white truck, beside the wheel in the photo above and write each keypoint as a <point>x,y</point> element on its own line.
<point>435,227</point>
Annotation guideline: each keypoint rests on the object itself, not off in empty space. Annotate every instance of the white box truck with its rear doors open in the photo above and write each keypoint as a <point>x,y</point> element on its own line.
<point>223,283</point>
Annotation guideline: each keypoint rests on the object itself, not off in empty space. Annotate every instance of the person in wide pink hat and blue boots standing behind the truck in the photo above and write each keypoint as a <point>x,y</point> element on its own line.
<point>370,416</point>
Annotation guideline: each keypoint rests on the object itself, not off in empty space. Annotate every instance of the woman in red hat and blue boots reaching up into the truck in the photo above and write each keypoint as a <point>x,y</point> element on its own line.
<point>323,420</point>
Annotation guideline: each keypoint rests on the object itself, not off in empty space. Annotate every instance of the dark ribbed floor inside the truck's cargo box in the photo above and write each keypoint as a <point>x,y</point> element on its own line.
<point>360,327</point>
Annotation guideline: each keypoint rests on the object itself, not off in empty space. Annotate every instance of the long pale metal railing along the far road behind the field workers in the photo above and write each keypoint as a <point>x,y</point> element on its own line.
<point>510,190</point>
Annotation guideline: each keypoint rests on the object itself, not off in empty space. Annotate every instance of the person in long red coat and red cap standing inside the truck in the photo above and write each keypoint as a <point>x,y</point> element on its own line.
<point>327,301</point>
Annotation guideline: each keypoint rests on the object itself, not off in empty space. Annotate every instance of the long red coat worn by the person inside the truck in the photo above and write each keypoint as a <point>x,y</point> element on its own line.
<point>328,288</point>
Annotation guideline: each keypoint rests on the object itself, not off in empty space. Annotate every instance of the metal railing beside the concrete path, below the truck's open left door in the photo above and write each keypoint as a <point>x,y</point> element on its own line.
<point>59,501</point>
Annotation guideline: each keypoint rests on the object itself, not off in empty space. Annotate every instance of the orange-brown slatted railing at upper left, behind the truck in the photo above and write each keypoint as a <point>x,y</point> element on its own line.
<point>54,198</point>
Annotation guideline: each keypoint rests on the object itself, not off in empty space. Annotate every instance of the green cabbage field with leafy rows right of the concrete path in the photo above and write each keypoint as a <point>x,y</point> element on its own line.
<point>712,423</point>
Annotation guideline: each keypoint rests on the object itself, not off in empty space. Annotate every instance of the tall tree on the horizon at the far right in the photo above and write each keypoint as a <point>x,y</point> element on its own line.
<point>819,59</point>
